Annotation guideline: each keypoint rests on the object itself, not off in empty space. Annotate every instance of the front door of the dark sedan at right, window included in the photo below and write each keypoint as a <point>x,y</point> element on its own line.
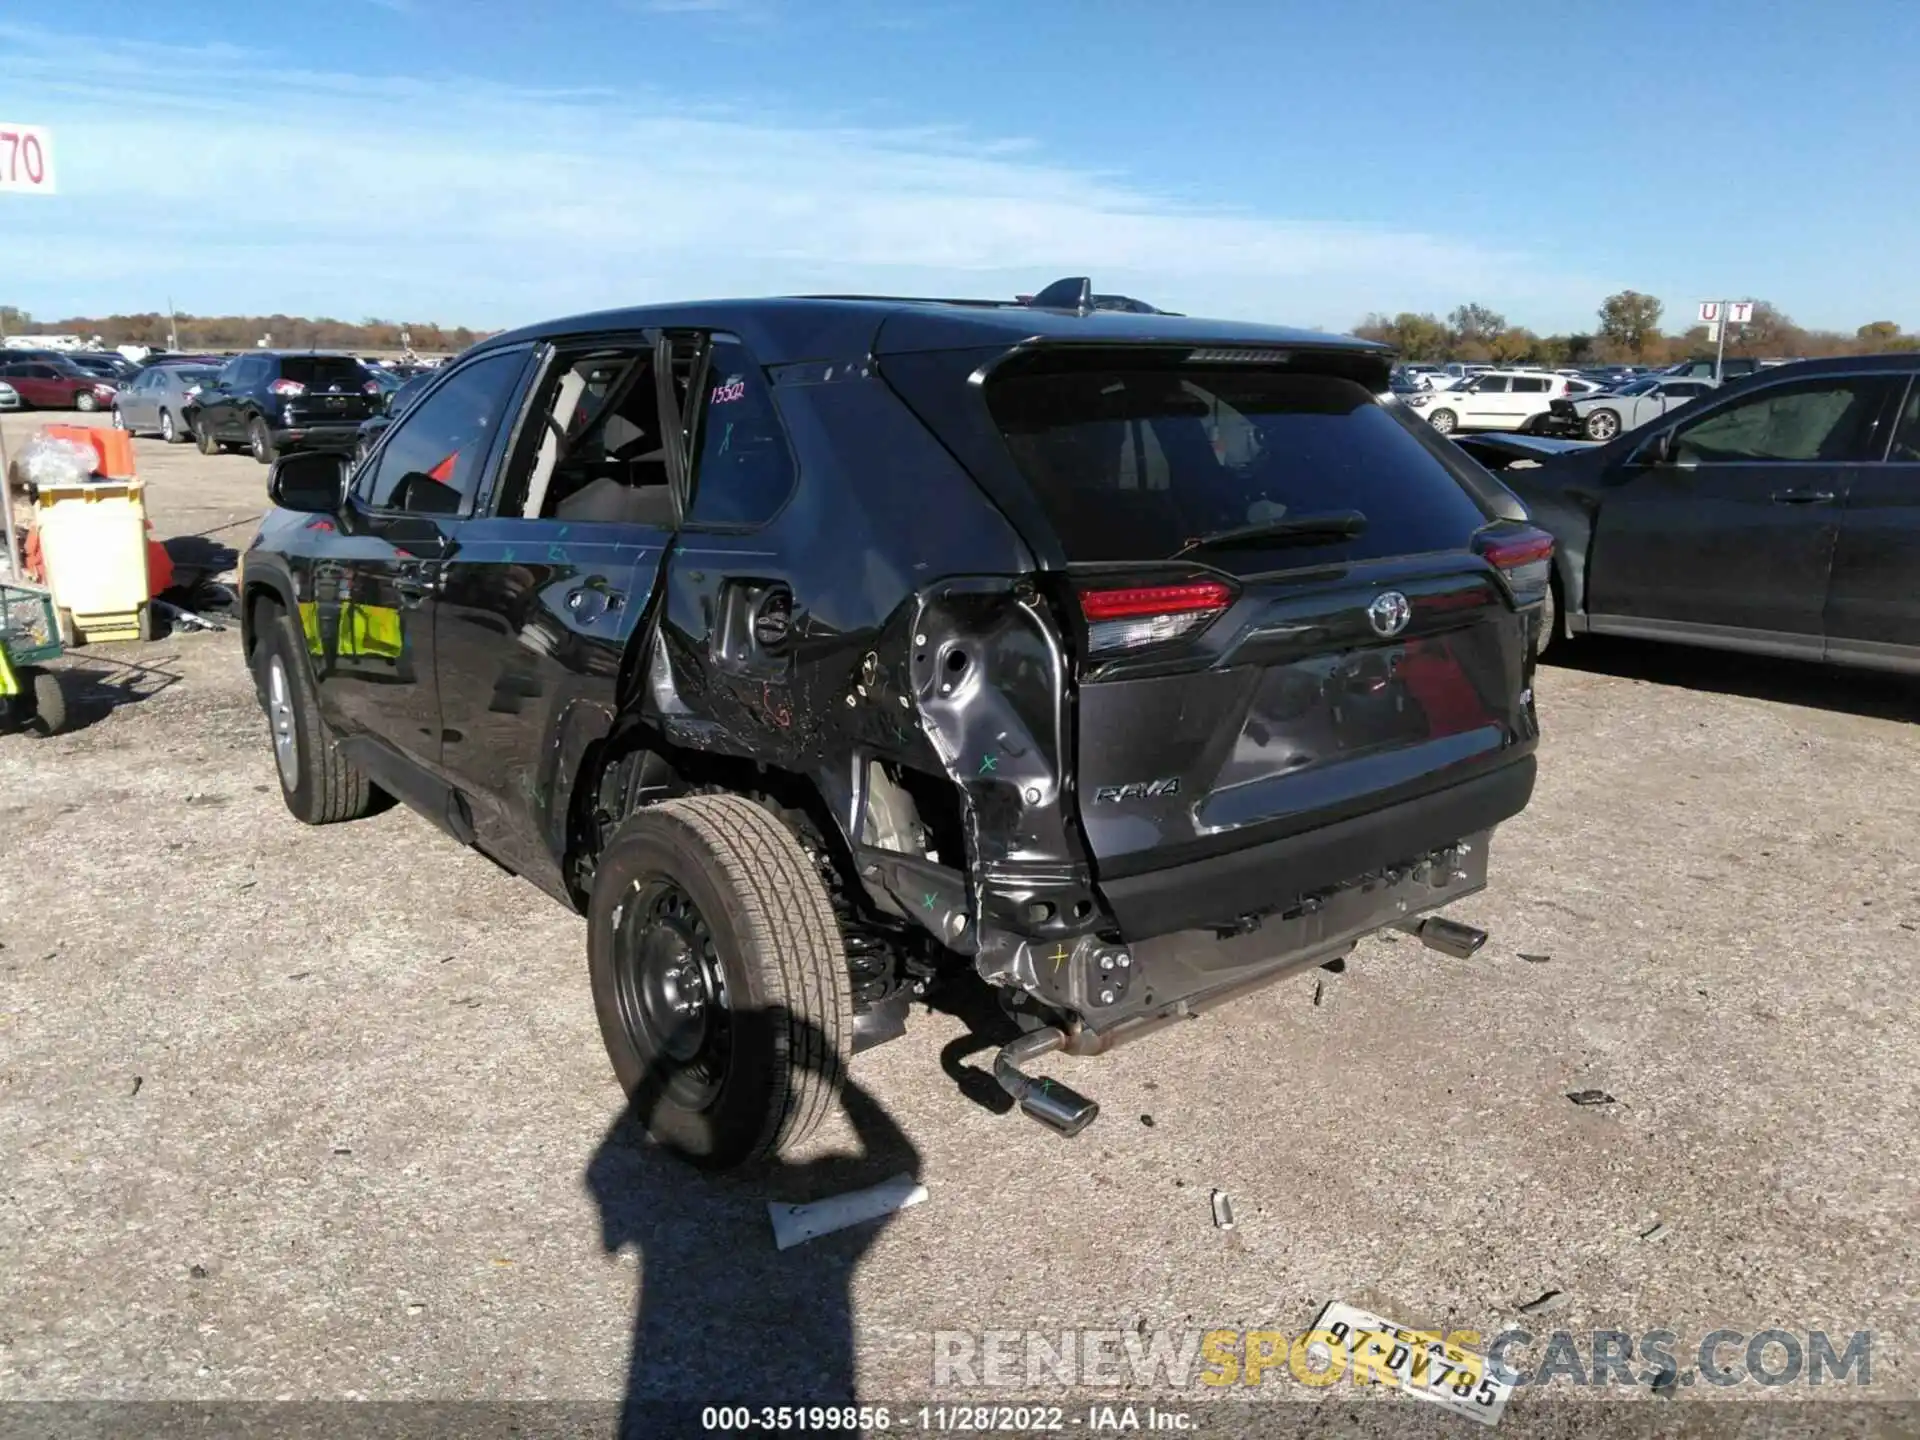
<point>1733,533</point>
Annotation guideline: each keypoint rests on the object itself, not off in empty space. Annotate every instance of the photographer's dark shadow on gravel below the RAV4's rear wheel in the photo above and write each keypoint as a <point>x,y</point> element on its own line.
<point>725,1318</point>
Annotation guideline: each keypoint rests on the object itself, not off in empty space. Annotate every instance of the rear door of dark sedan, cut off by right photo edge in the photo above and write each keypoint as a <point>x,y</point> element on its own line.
<point>1873,604</point>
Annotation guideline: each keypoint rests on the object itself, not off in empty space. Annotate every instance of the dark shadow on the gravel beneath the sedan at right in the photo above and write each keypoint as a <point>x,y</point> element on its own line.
<point>1723,673</point>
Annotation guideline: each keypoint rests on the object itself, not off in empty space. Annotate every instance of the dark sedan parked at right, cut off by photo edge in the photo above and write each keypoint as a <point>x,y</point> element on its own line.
<point>1777,516</point>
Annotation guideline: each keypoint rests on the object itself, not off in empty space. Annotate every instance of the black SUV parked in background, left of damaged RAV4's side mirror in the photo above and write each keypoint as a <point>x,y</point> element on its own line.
<point>276,402</point>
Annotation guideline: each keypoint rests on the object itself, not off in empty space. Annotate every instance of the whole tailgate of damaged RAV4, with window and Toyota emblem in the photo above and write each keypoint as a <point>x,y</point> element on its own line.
<point>1280,613</point>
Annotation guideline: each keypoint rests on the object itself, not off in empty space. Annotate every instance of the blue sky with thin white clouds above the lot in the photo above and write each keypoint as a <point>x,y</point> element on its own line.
<point>492,164</point>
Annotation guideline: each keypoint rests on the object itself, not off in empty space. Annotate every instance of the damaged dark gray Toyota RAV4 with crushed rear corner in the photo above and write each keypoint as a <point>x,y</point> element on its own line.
<point>828,650</point>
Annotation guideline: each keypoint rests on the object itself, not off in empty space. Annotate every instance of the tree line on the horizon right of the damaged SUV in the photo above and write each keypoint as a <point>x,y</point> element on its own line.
<point>1627,333</point>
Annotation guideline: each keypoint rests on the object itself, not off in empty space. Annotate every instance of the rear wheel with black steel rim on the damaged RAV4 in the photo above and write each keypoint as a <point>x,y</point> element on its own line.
<point>719,980</point>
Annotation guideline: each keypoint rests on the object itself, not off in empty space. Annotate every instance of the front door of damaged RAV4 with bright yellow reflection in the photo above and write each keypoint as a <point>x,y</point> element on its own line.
<point>398,537</point>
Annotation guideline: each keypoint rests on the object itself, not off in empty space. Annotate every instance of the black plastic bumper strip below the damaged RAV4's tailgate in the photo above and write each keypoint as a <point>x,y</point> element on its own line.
<point>1262,878</point>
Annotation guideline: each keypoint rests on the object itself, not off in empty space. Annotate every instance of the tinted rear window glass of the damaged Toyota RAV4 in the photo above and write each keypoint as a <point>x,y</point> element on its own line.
<point>1134,464</point>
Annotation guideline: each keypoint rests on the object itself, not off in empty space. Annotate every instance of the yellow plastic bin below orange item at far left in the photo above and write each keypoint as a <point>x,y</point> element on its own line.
<point>93,544</point>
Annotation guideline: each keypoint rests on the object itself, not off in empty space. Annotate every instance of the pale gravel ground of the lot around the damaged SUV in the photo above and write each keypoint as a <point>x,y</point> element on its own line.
<point>324,1113</point>
